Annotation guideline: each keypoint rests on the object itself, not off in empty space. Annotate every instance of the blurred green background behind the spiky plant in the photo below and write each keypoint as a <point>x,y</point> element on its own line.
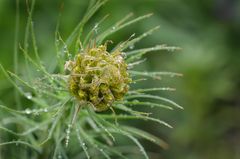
<point>209,35</point>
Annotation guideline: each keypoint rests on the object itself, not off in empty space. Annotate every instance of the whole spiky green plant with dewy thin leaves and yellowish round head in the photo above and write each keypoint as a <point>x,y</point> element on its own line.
<point>57,114</point>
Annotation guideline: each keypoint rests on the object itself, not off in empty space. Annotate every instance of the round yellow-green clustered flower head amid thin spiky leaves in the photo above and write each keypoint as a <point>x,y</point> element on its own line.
<point>98,77</point>
